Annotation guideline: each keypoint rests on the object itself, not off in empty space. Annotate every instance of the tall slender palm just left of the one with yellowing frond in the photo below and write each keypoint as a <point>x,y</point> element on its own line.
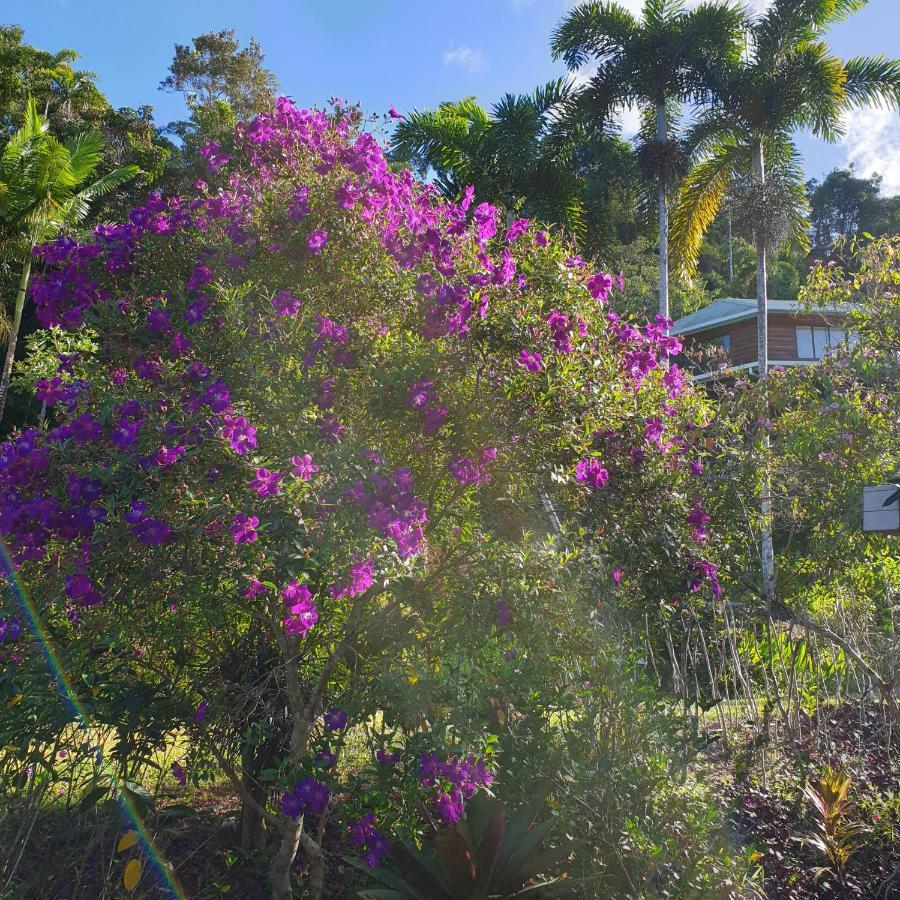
<point>655,63</point>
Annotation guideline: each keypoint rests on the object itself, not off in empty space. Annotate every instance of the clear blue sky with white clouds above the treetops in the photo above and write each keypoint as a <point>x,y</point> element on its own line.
<point>410,53</point>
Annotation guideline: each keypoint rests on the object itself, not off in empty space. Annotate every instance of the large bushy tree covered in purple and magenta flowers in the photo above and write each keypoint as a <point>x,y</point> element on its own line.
<point>304,475</point>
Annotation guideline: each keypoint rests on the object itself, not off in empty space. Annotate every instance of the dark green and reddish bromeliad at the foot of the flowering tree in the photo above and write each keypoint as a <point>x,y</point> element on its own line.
<point>490,853</point>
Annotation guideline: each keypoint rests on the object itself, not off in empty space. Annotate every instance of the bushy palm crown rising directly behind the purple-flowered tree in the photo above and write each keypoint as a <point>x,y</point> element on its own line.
<point>514,154</point>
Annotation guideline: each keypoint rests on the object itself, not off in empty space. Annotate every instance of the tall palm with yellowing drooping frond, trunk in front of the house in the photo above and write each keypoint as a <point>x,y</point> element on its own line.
<point>787,81</point>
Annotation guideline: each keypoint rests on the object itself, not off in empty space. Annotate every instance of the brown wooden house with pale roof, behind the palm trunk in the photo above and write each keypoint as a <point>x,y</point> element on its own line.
<point>723,335</point>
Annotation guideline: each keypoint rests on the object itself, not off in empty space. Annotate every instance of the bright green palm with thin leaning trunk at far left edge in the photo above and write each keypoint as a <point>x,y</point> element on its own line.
<point>45,187</point>
